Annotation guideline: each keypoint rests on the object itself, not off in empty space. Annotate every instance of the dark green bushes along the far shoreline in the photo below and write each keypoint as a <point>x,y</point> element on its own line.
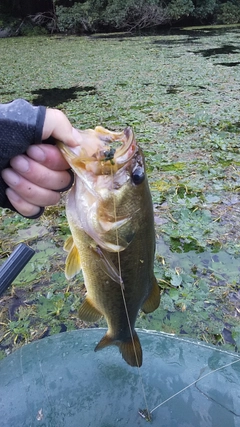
<point>91,16</point>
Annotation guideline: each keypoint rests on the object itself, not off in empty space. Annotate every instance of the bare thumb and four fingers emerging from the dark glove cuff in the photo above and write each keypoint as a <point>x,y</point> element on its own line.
<point>35,178</point>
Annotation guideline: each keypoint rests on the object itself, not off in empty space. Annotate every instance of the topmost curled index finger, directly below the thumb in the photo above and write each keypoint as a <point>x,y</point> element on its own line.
<point>48,155</point>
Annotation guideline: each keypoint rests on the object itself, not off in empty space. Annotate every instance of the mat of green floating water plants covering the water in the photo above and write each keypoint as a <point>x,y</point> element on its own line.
<point>180,93</point>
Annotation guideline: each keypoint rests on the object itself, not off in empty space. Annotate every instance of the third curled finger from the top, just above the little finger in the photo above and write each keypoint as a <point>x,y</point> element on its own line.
<point>29,191</point>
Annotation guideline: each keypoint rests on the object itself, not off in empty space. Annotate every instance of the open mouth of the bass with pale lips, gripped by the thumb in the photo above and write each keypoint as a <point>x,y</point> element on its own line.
<point>106,159</point>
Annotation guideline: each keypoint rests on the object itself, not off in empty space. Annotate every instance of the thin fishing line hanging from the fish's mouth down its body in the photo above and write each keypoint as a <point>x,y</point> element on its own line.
<point>125,306</point>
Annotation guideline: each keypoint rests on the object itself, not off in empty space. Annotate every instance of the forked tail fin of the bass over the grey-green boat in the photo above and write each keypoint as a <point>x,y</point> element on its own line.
<point>131,350</point>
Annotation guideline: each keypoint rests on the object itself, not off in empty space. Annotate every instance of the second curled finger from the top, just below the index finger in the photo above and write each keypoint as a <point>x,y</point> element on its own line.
<point>40,175</point>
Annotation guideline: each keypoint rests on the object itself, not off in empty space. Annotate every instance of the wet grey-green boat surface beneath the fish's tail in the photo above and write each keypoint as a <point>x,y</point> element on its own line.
<point>60,381</point>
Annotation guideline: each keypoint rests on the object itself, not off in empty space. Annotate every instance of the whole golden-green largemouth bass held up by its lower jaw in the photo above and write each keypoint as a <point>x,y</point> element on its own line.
<point>110,214</point>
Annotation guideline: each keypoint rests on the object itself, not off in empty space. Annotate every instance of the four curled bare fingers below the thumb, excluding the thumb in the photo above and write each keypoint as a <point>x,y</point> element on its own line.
<point>34,178</point>
